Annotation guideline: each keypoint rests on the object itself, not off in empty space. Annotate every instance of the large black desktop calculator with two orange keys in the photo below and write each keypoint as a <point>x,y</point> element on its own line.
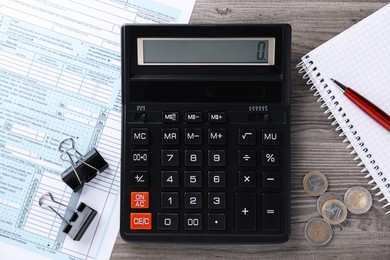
<point>205,133</point>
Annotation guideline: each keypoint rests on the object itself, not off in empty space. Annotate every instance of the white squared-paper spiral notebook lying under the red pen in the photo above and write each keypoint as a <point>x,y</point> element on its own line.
<point>359,57</point>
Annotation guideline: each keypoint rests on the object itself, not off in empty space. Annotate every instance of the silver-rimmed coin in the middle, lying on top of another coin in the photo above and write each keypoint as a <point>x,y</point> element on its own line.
<point>334,211</point>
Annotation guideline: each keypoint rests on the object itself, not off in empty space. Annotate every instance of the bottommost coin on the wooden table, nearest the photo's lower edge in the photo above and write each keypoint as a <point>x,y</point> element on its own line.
<point>318,232</point>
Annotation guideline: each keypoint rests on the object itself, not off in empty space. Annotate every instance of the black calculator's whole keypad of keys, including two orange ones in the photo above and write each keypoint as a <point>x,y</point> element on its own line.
<point>201,172</point>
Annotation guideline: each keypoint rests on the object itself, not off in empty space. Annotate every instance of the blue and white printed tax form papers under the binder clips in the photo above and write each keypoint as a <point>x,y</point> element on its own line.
<point>60,78</point>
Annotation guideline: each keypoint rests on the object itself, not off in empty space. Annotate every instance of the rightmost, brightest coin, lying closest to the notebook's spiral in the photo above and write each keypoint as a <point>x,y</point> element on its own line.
<point>358,200</point>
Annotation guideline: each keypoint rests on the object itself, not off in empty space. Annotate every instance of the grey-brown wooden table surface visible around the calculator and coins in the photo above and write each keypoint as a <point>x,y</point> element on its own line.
<point>314,143</point>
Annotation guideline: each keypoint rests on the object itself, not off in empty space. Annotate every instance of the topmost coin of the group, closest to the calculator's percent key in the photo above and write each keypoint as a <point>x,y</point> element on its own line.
<point>315,183</point>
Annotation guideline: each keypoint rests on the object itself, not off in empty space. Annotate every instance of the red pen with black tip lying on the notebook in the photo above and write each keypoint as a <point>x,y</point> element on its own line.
<point>367,106</point>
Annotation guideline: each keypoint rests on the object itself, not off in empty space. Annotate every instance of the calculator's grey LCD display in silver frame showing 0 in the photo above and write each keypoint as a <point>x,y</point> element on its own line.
<point>206,51</point>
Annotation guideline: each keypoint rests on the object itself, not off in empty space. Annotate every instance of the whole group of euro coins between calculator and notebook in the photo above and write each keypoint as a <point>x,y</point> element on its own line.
<point>331,206</point>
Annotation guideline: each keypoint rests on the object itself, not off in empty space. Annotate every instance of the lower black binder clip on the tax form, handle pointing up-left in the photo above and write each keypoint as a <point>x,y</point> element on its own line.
<point>78,222</point>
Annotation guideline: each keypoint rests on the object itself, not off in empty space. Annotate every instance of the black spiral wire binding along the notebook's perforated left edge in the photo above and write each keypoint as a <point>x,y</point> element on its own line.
<point>317,84</point>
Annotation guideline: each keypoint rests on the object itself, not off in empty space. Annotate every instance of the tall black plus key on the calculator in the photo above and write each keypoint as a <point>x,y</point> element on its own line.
<point>245,211</point>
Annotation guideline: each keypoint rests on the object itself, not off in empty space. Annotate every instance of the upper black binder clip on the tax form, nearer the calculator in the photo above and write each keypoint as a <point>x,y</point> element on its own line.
<point>84,168</point>
